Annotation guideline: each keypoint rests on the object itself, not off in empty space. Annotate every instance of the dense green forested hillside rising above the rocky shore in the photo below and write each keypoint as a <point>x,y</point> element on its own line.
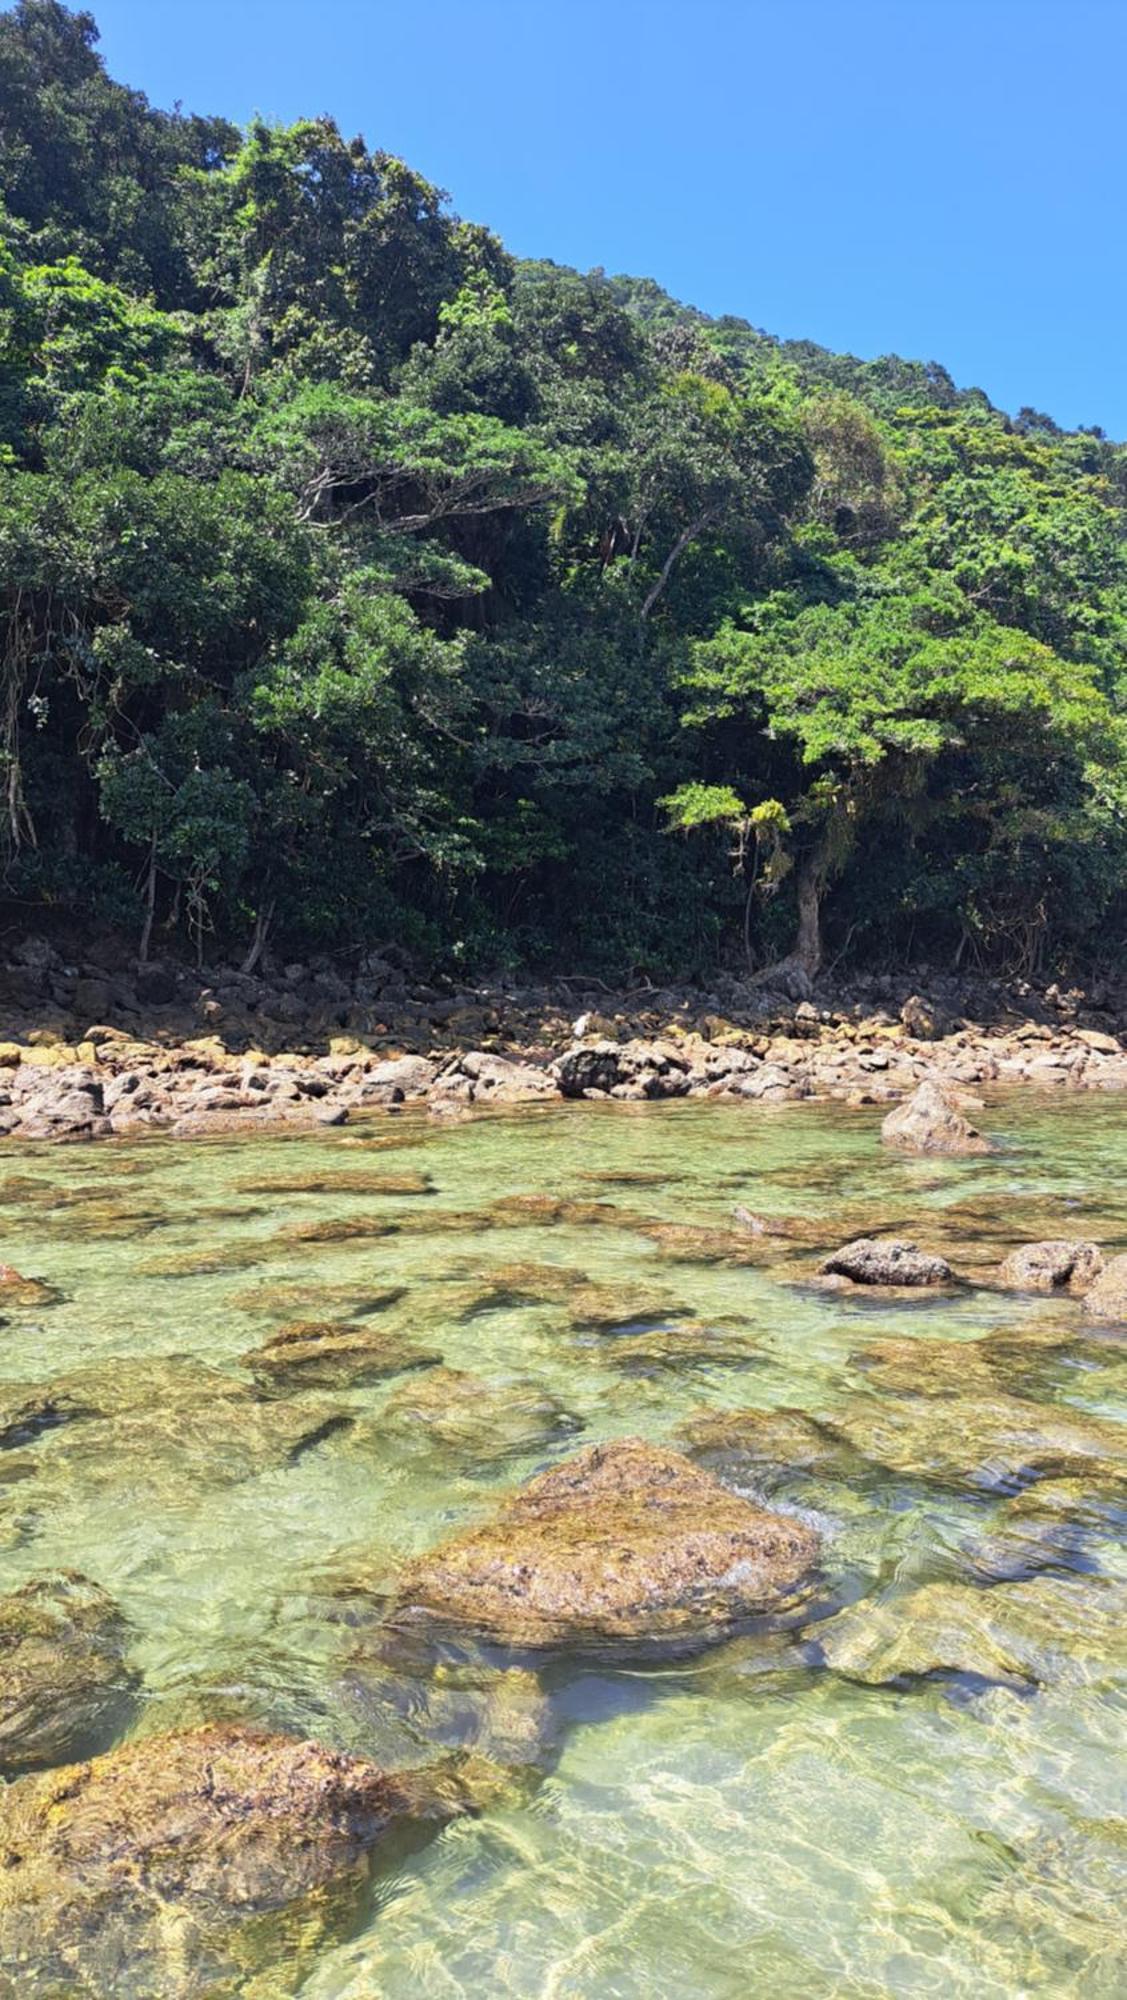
<point>361,583</point>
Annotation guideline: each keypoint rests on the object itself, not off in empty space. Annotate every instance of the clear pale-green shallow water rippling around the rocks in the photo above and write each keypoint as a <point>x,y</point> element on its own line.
<point>742,1823</point>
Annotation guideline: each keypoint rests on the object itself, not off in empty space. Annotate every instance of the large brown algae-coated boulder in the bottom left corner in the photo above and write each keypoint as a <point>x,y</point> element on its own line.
<point>151,1871</point>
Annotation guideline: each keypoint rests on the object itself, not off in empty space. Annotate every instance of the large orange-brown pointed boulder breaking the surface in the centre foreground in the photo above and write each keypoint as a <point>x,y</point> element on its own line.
<point>626,1545</point>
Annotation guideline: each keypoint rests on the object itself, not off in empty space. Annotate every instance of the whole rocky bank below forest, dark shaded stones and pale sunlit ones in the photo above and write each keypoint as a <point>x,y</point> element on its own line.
<point>91,1051</point>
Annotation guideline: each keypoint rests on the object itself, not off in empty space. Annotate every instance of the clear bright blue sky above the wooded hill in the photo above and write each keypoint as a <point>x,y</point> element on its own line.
<point>944,179</point>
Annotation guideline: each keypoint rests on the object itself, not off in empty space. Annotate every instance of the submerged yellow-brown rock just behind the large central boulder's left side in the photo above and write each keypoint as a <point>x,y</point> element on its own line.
<point>473,1417</point>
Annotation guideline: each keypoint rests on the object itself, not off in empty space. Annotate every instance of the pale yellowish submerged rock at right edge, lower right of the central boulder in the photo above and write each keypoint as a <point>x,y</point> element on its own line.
<point>1052,1629</point>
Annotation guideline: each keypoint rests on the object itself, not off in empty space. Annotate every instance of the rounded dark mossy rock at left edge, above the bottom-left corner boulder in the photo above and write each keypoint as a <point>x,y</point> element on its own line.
<point>65,1685</point>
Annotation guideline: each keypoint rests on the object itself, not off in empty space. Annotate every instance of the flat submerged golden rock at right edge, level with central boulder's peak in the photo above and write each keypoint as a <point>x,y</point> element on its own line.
<point>984,1441</point>
